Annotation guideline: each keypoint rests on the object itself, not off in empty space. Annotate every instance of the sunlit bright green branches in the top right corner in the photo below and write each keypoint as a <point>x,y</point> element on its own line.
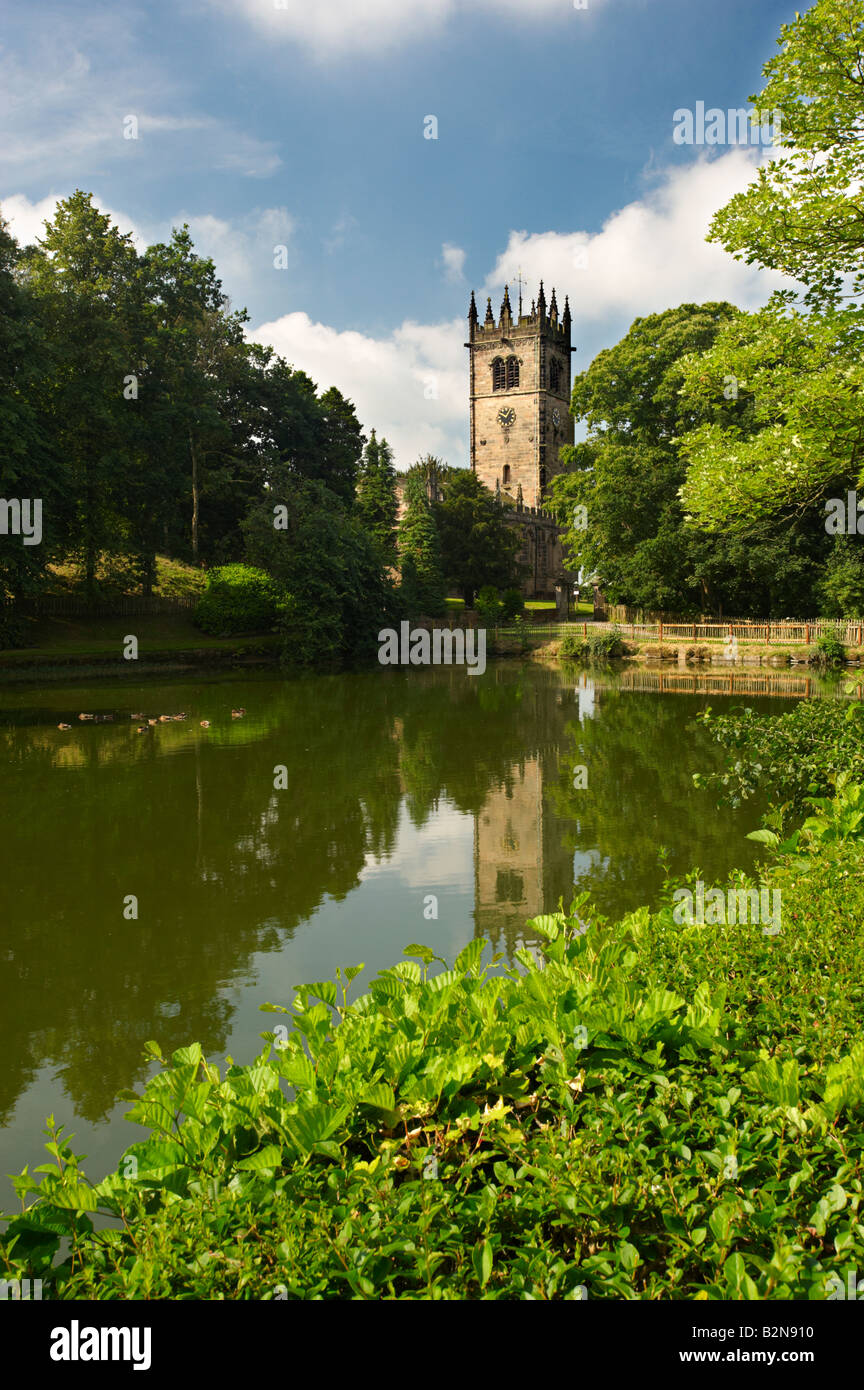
<point>804,215</point>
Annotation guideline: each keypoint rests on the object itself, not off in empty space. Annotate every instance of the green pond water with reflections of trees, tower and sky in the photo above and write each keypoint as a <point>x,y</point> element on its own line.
<point>406,794</point>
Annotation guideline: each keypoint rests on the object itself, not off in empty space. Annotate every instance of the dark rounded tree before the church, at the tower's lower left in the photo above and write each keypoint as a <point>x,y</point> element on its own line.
<point>479,547</point>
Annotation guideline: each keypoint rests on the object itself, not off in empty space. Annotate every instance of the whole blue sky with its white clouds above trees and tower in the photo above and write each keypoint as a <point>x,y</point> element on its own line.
<point>302,126</point>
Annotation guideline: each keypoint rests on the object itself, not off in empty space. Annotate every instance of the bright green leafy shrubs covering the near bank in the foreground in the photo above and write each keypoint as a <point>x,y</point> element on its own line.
<point>642,1111</point>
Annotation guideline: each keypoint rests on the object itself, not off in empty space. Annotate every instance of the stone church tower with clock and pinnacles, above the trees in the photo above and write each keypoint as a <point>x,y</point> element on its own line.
<point>520,397</point>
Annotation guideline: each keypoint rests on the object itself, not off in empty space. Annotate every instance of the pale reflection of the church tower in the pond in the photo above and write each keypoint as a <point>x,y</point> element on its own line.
<point>520,865</point>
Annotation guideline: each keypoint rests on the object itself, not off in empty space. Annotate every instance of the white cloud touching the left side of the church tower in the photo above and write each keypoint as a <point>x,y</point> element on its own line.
<point>412,386</point>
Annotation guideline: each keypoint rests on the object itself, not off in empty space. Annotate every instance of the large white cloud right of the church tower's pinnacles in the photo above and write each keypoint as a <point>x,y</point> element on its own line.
<point>648,256</point>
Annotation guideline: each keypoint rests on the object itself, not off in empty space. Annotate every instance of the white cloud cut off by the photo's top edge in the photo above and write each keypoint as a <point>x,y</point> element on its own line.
<point>347,27</point>
